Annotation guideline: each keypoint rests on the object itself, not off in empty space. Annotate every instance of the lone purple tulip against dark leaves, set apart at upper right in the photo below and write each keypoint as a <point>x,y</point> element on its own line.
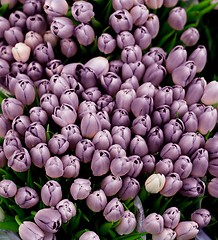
<point>190,37</point>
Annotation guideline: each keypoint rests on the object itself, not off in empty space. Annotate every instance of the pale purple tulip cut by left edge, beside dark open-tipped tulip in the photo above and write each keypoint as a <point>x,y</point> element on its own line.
<point>7,188</point>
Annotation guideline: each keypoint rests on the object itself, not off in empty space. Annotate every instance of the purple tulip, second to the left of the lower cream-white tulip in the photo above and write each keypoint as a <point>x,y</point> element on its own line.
<point>111,185</point>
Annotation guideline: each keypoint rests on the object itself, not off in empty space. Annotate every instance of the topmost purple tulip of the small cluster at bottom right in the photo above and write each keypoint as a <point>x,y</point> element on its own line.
<point>171,217</point>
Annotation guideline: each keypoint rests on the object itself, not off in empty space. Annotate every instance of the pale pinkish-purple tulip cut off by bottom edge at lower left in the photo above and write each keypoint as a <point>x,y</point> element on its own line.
<point>29,230</point>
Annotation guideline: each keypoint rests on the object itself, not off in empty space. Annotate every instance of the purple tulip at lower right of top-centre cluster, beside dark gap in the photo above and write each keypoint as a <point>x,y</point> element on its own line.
<point>142,37</point>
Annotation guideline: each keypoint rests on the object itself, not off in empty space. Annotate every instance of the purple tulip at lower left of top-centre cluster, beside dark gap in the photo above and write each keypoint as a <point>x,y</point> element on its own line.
<point>106,43</point>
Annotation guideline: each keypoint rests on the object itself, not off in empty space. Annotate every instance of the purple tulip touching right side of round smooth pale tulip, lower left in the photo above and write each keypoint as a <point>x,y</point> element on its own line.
<point>71,166</point>
